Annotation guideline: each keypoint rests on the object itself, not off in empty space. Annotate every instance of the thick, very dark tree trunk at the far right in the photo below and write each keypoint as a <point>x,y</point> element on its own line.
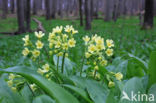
<point>149,16</point>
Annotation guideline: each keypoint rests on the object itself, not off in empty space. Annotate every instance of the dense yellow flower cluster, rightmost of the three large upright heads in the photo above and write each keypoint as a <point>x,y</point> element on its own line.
<point>96,50</point>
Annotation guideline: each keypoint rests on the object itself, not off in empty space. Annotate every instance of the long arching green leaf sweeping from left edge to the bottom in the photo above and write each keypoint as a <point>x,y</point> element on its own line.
<point>51,88</point>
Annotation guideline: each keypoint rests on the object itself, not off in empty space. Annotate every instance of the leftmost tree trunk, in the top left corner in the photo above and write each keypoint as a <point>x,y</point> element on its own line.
<point>4,8</point>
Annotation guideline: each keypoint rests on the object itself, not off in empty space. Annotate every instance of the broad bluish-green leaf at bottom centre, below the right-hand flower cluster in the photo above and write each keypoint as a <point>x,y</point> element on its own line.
<point>96,91</point>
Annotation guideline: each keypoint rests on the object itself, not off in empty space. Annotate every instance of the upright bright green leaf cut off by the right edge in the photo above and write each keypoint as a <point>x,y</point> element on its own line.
<point>152,69</point>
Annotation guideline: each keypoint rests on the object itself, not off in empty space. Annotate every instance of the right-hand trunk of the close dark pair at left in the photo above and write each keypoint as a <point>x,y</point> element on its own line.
<point>28,15</point>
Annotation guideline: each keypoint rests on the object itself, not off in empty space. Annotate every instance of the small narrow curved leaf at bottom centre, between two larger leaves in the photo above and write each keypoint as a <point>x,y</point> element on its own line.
<point>79,91</point>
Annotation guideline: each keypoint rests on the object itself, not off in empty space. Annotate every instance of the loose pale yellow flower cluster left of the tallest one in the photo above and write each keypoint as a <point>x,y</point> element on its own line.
<point>35,48</point>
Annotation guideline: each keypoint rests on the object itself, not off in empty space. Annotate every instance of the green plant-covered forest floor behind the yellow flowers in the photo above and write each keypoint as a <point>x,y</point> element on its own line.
<point>126,33</point>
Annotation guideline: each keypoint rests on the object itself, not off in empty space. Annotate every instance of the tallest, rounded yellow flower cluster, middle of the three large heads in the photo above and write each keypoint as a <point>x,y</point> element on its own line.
<point>61,39</point>
